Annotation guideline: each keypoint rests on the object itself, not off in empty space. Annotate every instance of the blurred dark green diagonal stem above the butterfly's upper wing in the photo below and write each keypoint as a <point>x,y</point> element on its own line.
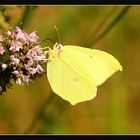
<point>111,25</point>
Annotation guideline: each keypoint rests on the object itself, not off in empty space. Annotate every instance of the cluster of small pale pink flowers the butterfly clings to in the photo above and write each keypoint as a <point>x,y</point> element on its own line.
<point>21,57</point>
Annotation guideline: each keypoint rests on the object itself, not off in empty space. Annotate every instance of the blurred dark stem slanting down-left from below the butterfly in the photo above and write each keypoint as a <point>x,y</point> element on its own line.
<point>40,113</point>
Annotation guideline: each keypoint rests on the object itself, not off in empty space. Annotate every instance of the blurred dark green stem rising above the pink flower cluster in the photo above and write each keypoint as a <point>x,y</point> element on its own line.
<point>27,16</point>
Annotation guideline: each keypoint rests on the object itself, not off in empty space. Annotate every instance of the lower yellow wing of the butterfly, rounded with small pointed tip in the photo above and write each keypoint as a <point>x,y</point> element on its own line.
<point>69,84</point>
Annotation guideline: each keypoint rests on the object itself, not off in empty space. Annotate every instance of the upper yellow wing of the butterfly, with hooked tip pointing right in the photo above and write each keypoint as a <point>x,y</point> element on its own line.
<point>94,64</point>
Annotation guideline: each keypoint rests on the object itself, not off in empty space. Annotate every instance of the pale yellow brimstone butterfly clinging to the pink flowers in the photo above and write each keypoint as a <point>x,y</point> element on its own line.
<point>74,72</point>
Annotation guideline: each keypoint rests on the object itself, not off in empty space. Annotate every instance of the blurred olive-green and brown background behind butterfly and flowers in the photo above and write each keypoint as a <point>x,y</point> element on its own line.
<point>115,109</point>
